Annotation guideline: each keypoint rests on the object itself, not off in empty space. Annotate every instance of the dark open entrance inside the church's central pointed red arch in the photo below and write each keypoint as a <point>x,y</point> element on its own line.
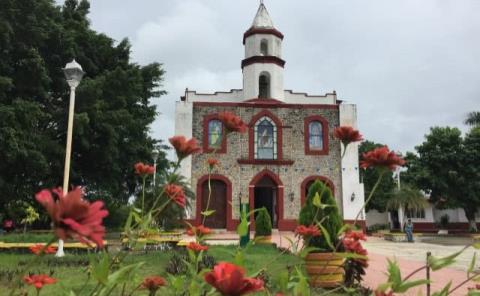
<point>265,195</point>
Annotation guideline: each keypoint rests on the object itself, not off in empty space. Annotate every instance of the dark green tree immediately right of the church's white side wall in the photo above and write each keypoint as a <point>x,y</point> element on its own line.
<point>369,176</point>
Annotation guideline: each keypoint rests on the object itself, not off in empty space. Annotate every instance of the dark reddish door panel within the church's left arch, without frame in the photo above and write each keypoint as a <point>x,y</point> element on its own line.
<point>218,202</point>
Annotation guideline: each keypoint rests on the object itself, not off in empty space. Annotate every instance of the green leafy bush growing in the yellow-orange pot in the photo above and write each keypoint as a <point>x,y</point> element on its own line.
<point>328,216</point>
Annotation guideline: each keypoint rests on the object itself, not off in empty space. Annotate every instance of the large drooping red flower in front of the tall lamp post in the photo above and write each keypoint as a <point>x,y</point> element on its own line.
<point>73,216</point>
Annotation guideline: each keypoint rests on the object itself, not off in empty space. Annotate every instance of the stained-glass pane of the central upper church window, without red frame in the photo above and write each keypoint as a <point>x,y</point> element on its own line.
<point>265,145</point>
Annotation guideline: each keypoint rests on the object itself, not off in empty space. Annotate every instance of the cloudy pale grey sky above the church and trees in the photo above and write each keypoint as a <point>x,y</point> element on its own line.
<point>407,64</point>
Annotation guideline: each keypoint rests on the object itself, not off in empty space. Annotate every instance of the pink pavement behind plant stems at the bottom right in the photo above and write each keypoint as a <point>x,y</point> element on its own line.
<point>377,267</point>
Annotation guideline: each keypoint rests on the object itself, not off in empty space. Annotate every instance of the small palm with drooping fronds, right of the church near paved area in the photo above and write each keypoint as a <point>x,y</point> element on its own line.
<point>407,198</point>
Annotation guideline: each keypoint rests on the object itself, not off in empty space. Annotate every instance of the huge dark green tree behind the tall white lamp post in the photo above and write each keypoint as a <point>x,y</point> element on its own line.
<point>113,108</point>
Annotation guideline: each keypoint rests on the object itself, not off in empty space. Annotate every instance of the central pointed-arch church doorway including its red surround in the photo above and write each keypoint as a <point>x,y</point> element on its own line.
<point>266,190</point>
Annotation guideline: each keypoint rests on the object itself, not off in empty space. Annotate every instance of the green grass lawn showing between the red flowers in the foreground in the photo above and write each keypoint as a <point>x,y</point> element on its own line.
<point>72,271</point>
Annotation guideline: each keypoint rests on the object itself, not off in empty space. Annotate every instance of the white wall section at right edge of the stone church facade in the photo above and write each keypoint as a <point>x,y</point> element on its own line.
<point>350,169</point>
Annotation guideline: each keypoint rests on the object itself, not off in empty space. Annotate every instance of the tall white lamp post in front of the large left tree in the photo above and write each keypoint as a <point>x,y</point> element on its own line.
<point>73,73</point>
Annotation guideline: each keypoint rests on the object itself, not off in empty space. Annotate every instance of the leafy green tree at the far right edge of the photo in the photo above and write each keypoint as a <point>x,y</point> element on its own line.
<point>447,168</point>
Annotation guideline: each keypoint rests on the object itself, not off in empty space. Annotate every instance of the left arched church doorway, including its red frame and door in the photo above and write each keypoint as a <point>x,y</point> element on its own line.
<point>220,201</point>
